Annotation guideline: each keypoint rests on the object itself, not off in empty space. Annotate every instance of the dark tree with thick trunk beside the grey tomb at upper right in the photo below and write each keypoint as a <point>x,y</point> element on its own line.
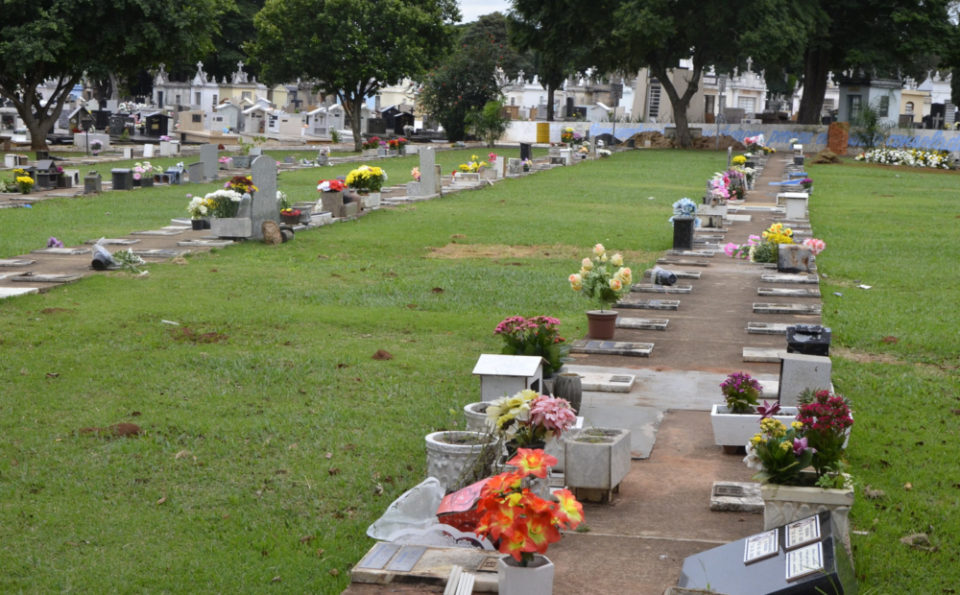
<point>890,38</point>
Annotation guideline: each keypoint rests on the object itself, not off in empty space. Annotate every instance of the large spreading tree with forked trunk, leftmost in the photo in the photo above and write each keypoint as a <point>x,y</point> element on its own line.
<point>60,40</point>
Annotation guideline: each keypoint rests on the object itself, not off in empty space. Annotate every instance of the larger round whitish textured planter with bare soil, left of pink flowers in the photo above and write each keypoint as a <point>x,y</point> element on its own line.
<point>451,454</point>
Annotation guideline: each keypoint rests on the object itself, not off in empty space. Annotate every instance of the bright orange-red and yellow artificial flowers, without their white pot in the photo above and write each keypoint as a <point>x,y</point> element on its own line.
<point>519,521</point>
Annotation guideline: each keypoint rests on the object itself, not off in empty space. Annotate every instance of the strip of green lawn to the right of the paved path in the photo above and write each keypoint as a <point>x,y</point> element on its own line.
<point>896,355</point>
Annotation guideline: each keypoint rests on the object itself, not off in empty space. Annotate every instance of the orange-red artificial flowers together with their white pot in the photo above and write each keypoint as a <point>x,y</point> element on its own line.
<point>523,524</point>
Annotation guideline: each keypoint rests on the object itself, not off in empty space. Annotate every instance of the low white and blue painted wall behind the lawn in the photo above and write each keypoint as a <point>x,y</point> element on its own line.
<point>813,138</point>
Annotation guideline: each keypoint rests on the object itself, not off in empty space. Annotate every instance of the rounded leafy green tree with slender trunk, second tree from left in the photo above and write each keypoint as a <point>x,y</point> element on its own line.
<point>351,47</point>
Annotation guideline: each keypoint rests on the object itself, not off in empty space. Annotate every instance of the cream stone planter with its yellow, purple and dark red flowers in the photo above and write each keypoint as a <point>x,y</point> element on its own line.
<point>801,466</point>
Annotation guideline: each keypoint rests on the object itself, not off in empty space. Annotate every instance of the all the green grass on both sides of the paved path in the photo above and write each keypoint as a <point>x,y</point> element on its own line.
<point>268,425</point>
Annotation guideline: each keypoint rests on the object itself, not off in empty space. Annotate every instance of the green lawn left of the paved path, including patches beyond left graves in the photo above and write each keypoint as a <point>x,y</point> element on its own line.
<point>271,436</point>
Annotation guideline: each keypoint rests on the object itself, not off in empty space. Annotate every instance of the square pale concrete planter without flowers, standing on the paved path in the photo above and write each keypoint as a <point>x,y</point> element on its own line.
<point>595,462</point>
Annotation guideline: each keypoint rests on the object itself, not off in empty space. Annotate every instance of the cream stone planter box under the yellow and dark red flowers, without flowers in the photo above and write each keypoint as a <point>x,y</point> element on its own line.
<point>784,504</point>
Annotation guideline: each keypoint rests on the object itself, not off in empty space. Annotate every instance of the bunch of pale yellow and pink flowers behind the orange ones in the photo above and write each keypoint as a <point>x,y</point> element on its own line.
<point>528,419</point>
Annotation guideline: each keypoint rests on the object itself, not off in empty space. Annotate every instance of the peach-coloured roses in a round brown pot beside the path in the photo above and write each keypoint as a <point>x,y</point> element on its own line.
<point>597,280</point>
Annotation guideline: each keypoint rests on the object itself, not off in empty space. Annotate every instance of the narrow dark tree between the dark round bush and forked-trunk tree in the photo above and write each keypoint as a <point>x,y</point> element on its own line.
<point>558,35</point>
